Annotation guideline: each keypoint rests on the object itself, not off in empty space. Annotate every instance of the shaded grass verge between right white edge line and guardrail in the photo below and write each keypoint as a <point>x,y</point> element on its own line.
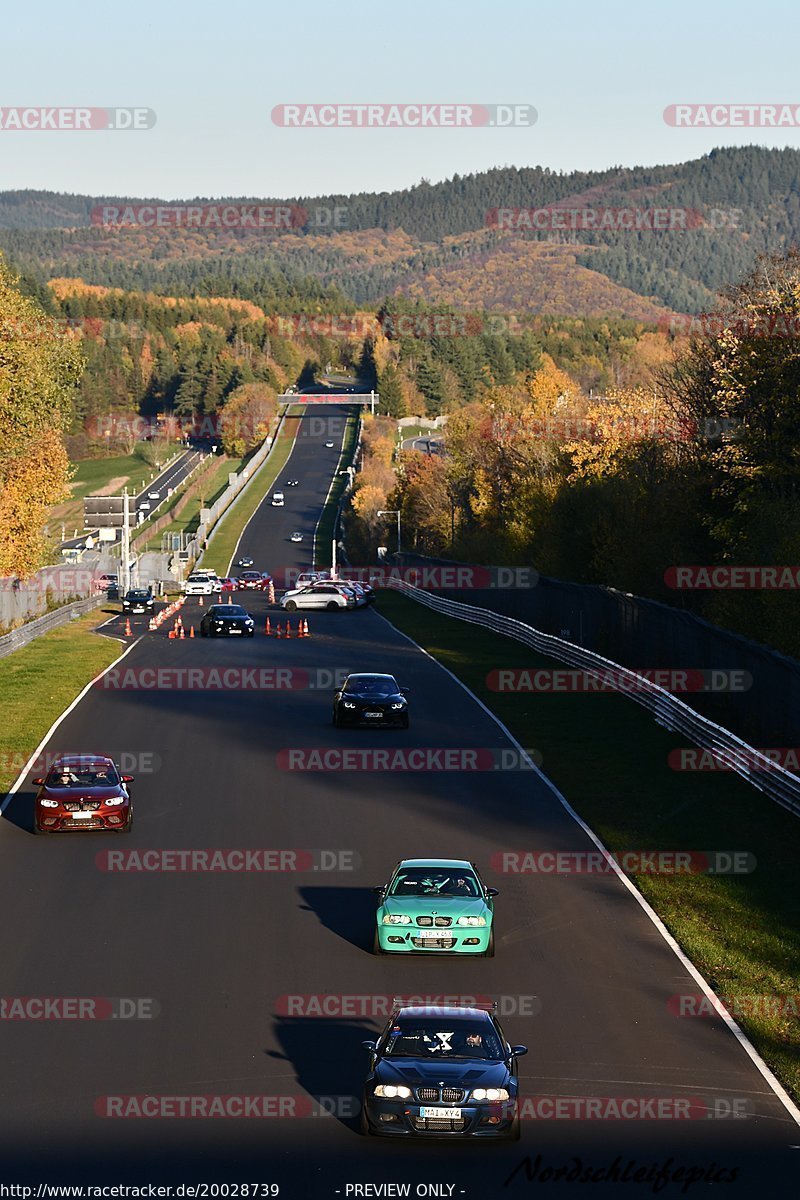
<point>610,760</point>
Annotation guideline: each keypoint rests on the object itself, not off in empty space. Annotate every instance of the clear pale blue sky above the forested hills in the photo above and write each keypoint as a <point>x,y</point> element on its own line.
<point>599,74</point>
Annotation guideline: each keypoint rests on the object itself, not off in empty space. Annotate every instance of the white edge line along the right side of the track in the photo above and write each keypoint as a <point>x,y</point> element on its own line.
<point>739,1035</point>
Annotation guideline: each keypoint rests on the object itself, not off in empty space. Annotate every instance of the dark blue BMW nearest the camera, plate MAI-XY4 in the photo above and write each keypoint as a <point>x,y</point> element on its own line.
<point>441,1072</point>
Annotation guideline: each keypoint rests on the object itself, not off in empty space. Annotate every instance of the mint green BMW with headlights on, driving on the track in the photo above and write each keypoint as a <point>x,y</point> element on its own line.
<point>435,905</point>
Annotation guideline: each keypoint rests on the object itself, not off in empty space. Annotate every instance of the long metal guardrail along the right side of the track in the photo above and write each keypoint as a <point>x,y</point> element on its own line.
<point>673,715</point>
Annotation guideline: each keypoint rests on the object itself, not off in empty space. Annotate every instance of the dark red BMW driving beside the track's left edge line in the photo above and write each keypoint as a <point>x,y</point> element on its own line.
<point>83,793</point>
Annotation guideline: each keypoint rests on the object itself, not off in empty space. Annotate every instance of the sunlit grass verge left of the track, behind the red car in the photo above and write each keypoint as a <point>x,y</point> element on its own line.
<point>39,681</point>
